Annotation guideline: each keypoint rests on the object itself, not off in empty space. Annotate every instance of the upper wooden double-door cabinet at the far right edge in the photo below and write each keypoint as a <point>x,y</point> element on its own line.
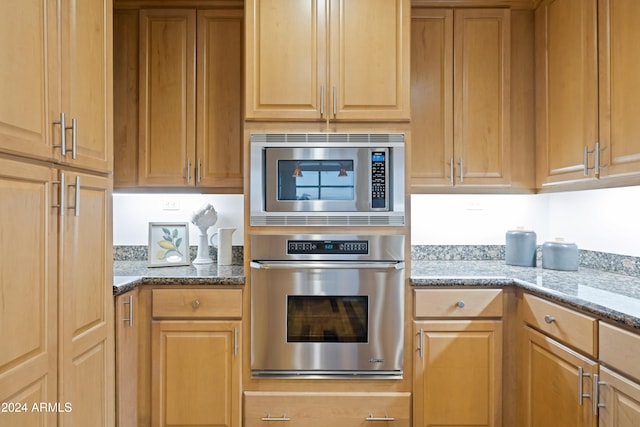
<point>587,90</point>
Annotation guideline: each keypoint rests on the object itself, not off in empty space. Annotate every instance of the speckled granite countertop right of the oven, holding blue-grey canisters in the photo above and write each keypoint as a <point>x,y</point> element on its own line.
<point>609,296</point>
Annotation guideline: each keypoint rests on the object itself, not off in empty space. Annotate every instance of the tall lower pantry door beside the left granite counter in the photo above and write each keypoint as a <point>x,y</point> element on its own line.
<point>86,302</point>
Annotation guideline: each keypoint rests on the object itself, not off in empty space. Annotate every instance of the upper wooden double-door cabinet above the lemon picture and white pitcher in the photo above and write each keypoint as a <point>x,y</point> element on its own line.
<point>182,126</point>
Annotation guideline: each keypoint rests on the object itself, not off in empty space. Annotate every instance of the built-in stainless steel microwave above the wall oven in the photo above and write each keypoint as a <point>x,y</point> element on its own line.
<point>327,179</point>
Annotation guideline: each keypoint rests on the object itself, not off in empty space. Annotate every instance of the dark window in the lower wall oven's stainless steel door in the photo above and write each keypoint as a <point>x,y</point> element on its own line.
<point>327,319</point>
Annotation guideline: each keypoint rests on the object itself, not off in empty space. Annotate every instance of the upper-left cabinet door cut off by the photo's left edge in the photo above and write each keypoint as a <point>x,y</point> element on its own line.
<point>28,77</point>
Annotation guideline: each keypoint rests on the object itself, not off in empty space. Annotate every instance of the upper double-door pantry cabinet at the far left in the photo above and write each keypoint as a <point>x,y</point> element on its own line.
<point>57,86</point>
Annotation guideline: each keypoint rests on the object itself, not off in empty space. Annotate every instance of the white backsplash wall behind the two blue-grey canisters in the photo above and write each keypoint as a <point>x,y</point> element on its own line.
<point>603,220</point>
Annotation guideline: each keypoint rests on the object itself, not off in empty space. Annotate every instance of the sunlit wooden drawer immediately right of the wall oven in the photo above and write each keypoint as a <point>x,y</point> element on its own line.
<point>458,303</point>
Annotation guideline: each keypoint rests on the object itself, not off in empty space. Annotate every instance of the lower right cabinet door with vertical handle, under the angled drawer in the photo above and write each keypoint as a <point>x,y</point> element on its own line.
<point>553,384</point>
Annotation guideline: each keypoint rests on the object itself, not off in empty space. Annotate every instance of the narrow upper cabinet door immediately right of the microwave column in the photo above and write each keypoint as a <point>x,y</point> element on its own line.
<point>431,98</point>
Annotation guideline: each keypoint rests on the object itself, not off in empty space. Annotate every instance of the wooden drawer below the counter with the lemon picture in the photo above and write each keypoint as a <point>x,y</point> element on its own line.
<point>197,303</point>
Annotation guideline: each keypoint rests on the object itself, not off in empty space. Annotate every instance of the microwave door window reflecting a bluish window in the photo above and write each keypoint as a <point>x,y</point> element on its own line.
<point>315,180</point>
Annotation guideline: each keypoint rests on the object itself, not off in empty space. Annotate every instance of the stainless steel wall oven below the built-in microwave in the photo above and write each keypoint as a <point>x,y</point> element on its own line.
<point>327,305</point>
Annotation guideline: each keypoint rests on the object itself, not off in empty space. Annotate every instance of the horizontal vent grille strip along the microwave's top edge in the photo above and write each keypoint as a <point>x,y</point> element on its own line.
<point>346,138</point>
